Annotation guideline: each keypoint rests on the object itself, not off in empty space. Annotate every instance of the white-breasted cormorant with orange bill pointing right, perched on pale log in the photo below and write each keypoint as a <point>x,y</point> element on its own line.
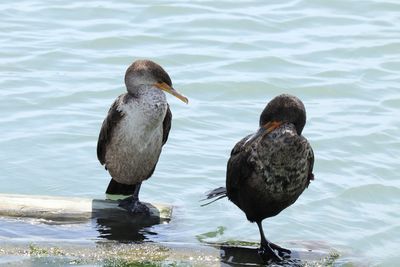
<point>135,130</point>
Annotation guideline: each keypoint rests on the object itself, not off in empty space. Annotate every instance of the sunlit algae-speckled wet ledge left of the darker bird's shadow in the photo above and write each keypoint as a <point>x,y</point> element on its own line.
<point>111,254</point>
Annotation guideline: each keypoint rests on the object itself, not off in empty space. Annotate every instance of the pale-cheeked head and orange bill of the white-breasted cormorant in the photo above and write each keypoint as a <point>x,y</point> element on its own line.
<point>148,73</point>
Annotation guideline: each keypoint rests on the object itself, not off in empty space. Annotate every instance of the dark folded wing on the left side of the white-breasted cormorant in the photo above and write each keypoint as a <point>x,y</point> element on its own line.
<point>113,117</point>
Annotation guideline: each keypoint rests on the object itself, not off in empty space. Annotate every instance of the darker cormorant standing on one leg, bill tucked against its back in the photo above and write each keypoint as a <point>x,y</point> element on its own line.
<point>268,170</point>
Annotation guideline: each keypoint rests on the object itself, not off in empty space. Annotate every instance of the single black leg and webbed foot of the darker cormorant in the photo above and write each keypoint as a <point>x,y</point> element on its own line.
<point>270,251</point>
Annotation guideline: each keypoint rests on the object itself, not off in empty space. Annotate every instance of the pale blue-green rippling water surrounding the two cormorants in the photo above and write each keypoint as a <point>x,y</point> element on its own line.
<point>63,62</point>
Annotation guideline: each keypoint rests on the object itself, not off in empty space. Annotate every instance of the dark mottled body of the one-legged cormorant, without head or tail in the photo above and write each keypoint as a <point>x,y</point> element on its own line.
<point>268,175</point>
